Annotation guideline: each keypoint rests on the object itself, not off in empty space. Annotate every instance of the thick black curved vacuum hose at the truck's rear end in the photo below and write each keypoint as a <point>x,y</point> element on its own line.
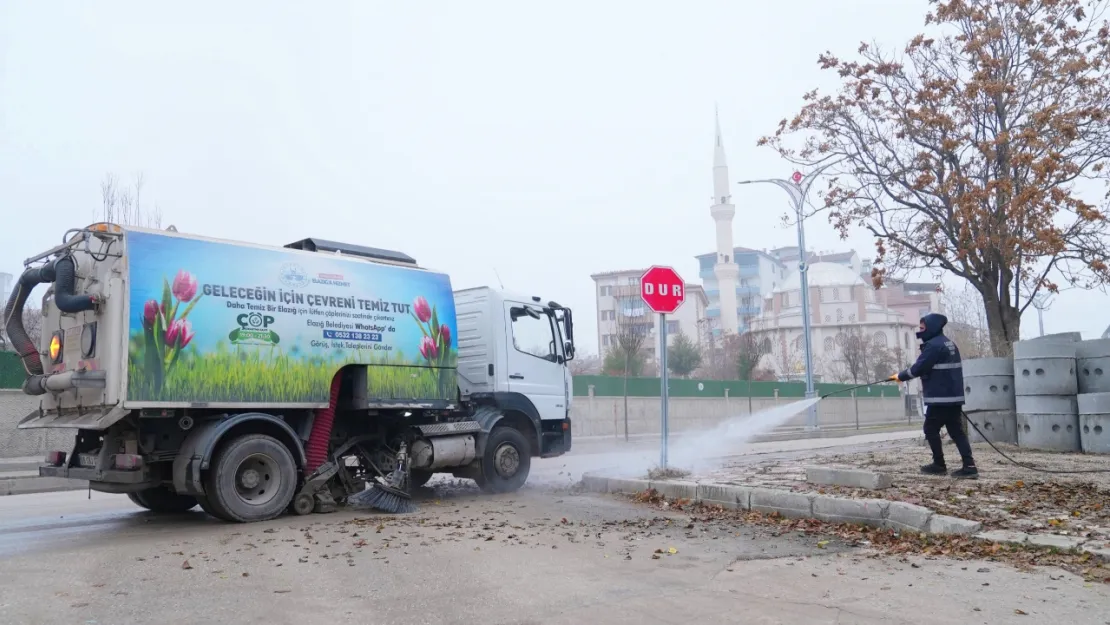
<point>63,274</point>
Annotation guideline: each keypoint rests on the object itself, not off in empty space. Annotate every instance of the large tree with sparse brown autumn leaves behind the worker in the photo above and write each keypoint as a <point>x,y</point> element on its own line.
<point>965,149</point>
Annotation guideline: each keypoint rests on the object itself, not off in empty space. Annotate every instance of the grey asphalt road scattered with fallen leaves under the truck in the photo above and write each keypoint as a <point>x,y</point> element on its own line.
<point>546,556</point>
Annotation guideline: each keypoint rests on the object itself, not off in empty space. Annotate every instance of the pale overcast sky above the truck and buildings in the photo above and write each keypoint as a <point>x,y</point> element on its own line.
<point>544,144</point>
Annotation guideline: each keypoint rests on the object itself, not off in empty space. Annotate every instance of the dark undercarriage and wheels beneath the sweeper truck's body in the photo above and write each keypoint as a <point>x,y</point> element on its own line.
<point>254,467</point>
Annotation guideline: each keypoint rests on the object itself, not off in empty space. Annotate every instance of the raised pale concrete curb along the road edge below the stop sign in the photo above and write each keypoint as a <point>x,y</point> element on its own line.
<point>881,513</point>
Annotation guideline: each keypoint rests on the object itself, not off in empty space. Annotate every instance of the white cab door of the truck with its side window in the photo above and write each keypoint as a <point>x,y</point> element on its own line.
<point>536,359</point>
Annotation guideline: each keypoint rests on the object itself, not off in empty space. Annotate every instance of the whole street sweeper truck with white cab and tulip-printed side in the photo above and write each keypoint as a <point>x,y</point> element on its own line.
<point>255,380</point>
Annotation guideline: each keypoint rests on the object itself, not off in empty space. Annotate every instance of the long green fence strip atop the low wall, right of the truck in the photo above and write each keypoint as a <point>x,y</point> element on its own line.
<point>609,387</point>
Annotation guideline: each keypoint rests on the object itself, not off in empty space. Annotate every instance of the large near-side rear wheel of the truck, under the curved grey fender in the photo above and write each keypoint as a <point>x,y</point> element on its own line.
<point>253,478</point>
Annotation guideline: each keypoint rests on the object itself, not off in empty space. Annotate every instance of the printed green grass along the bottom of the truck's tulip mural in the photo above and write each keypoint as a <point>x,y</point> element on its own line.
<point>257,377</point>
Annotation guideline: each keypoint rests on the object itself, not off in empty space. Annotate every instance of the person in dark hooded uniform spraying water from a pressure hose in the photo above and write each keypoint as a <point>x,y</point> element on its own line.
<point>942,376</point>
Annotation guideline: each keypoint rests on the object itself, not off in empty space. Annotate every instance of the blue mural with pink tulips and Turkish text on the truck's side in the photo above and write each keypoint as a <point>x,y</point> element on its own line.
<point>217,324</point>
